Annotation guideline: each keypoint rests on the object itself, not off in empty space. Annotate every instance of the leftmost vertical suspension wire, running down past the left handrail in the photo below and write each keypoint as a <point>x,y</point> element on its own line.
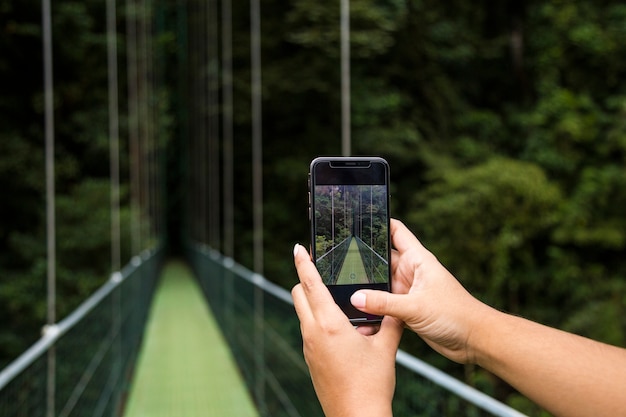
<point>50,200</point>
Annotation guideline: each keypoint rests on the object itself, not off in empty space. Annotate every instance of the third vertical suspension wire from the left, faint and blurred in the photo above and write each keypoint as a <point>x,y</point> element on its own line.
<point>133,124</point>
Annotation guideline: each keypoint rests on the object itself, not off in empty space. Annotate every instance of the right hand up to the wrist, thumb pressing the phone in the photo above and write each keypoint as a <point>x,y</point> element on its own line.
<point>426,297</point>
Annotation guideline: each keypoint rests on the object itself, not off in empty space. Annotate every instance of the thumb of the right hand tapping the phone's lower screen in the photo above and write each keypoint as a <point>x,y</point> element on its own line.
<point>383,303</point>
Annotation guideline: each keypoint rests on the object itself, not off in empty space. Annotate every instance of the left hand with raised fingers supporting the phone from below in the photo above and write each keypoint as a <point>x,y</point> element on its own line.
<point>353,373</point>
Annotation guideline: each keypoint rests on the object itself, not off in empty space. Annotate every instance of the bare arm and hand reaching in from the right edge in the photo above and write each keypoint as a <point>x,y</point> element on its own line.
<point>566,374</point>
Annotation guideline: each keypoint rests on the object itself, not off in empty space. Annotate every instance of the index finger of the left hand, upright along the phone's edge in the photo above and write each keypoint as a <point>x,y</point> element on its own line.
<point>319,299</point>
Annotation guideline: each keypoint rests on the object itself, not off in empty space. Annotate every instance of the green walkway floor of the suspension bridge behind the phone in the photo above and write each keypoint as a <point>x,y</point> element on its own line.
<point>184,367</point>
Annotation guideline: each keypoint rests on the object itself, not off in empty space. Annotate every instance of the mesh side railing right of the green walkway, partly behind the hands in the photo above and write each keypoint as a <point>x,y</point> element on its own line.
<point>258,320</point>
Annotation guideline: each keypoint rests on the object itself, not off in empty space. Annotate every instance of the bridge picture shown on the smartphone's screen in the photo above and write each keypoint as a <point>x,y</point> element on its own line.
<point>351,234</point>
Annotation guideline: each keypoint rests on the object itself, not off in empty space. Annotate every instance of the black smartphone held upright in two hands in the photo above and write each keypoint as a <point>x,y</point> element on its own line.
<point>349,212</point>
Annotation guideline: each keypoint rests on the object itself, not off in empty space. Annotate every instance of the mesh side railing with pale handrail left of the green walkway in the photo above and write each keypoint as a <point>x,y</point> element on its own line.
<point>80,367</point>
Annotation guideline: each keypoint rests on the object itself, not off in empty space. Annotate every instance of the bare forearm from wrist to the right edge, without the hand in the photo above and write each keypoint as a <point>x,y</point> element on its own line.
<point>566,374</point>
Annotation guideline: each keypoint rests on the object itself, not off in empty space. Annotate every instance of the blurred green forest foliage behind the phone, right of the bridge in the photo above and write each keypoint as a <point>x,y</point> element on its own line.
<point>504,127</point>
